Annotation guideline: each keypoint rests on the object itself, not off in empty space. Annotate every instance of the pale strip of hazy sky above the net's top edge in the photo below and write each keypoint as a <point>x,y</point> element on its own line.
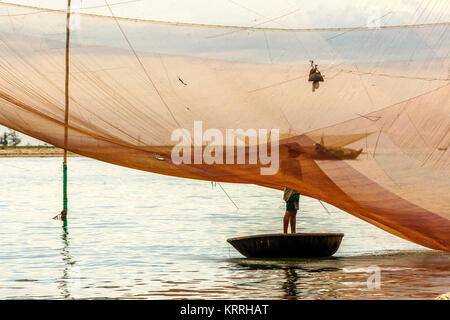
<point>293,13</point>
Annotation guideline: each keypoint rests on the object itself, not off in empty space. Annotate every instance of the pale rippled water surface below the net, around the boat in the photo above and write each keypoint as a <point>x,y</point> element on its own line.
<point>136,235</point>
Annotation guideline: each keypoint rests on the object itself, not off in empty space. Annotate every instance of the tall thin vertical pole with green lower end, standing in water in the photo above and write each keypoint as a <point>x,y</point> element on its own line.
<point>66,114</point>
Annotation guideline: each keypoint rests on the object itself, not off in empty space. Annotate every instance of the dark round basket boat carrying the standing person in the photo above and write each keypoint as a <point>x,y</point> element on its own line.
<point>298,245</point>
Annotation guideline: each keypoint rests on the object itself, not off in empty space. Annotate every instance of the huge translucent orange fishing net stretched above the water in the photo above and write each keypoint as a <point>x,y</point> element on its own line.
<point>372,141</point>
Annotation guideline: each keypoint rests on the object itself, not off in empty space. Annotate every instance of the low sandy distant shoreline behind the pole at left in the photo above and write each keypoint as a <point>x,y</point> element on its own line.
<point>33,151</point>
